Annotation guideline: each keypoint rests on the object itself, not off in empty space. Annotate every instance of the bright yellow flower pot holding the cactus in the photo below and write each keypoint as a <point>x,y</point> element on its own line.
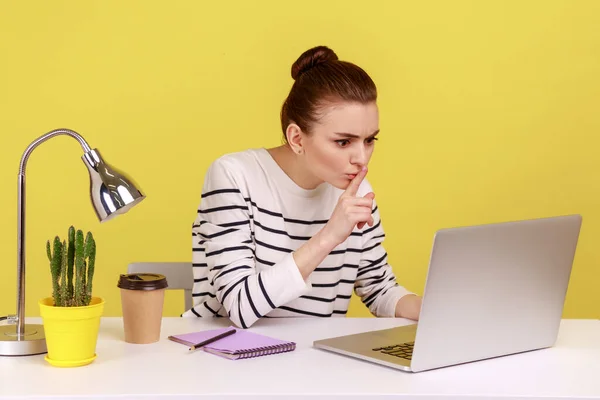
<point>71,332</point>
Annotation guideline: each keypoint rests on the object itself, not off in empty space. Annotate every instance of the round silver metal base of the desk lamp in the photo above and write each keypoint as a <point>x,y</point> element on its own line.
<point>33,342</point>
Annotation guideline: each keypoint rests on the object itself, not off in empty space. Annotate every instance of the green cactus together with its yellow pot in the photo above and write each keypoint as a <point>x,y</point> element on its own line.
<point>71,317</point>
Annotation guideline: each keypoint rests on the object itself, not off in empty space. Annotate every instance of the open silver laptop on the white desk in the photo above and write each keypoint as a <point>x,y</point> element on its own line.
<point>491,290</point>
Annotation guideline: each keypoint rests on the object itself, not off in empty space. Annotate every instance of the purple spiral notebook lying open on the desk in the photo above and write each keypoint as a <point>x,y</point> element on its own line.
<point>242,344</point>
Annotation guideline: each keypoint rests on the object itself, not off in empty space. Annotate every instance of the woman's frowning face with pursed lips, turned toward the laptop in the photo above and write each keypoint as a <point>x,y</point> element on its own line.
<point>341,142</point>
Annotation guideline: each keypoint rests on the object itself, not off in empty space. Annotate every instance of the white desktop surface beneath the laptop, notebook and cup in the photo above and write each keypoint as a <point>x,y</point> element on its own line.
<point>165,370</point>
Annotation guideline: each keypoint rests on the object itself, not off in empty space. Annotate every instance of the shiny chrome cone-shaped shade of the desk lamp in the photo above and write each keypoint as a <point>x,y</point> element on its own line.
<point>111,191</point>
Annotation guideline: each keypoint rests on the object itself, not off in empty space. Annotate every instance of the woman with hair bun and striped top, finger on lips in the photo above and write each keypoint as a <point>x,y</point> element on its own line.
<point>290,231</point>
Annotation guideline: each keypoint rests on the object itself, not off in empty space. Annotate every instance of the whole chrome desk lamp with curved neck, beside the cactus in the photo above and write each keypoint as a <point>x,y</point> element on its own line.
<point>112,193</point>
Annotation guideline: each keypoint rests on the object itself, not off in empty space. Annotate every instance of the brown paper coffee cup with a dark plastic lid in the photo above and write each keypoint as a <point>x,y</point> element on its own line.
<point>142,299</point>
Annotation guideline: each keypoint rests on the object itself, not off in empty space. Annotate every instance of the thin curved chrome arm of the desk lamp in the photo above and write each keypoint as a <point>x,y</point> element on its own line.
<point>21,220</point>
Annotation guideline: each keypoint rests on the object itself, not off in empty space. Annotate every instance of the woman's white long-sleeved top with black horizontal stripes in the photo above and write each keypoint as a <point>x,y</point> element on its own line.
<point>252,216</point>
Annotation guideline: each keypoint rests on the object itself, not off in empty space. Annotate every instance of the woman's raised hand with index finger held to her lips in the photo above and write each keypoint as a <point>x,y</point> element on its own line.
<point>350,211</point>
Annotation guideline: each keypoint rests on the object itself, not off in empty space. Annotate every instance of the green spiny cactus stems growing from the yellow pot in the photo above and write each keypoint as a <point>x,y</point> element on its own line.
<point>72,265</point>
